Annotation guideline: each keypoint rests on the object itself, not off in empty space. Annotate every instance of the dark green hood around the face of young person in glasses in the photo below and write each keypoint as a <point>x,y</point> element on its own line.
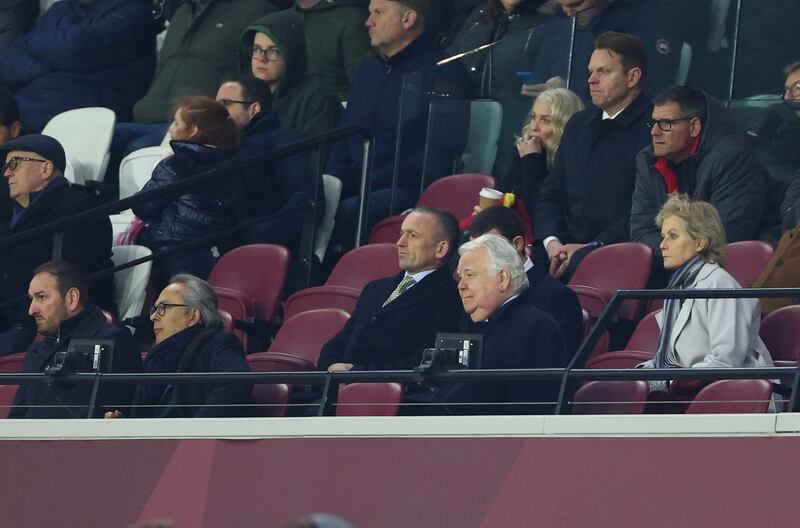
<point>285,29</point>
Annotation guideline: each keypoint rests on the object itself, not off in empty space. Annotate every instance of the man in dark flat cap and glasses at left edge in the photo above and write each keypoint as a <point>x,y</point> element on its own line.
<point>34,172</point>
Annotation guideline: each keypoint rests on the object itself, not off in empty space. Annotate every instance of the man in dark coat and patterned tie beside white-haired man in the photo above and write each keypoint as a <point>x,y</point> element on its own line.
<point>396,318</point>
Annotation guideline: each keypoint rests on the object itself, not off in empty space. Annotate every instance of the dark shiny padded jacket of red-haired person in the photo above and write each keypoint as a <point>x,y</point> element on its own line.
<point>194,214</point>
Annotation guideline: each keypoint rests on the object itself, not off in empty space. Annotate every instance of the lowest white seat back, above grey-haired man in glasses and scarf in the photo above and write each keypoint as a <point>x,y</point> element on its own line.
<point>130,285</point>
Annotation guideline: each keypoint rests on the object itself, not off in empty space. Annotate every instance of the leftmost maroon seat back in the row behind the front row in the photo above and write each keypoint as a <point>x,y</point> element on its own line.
<point>257,270</point>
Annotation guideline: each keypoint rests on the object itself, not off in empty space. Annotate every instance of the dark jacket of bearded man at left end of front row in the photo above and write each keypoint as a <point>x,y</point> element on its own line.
<point>71,401</point>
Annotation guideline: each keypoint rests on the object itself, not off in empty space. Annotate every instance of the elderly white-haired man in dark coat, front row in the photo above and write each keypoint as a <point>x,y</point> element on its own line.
<point>494,291</point>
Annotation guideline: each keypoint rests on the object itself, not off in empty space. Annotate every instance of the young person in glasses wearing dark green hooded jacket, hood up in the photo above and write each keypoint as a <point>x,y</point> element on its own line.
<point>273,49</point>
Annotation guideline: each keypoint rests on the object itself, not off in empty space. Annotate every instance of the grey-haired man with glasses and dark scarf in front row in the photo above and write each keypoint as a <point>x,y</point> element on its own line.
<point>189,337</point>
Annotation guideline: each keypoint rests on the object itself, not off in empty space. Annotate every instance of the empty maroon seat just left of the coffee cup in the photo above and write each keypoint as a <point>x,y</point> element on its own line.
<point>456,194</point>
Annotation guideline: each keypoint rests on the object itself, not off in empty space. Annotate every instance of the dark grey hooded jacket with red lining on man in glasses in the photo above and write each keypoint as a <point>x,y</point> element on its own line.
<point>723,171</point>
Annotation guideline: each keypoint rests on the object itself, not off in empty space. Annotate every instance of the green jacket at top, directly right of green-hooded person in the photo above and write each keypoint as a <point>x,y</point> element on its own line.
<point>336,42</point>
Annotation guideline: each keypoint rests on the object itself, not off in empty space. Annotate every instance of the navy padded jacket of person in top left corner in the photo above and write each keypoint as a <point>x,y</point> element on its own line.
<point>80,54</point>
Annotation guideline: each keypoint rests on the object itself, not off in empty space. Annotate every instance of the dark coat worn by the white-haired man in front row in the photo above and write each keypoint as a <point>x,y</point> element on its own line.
<point>516,335</point>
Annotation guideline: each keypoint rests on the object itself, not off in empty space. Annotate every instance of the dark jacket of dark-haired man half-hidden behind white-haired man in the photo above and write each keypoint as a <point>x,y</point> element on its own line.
<point>560,302</point>
